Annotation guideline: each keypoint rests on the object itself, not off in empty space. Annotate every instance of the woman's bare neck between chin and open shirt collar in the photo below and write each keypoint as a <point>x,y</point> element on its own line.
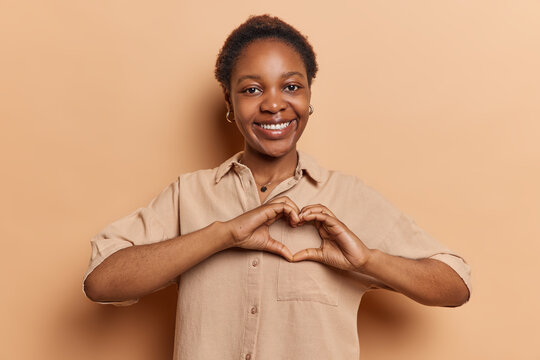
<point>267,169</point>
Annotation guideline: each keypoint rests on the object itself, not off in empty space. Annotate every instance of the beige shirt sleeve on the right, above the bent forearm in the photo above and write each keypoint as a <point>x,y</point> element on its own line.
<point>406,239</point>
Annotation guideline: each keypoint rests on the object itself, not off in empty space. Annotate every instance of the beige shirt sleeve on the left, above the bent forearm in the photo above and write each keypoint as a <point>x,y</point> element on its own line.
<point>156,222</point>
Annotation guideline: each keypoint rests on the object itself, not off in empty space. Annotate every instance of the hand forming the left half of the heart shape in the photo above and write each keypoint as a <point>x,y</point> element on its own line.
<point>251,229</point>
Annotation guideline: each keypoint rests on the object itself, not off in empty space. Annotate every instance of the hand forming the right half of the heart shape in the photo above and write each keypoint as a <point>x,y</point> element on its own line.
<point>340,247</point>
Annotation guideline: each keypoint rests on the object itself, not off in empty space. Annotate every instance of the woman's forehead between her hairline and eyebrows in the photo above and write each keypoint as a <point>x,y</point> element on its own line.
<point>268,56</point>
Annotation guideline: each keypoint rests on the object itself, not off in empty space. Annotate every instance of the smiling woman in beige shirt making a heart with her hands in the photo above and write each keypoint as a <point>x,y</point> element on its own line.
<point>264,270</point>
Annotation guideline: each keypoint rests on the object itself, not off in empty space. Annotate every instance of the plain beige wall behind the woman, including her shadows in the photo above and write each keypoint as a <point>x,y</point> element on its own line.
<point>436,104</point>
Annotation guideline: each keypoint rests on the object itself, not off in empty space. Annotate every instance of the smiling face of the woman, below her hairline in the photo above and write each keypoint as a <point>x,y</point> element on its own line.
<point>269,97</point>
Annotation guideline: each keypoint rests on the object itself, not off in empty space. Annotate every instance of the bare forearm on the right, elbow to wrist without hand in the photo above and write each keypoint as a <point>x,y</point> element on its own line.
<point>427,281</point>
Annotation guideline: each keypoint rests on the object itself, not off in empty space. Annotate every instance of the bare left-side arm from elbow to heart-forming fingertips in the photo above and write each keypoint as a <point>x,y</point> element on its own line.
<point>133,272</point>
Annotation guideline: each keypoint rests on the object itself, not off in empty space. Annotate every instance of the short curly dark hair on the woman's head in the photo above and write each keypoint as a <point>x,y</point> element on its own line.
<point>262,27</point>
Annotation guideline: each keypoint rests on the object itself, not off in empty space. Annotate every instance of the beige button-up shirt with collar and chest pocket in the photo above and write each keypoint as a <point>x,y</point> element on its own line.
<point>244,304</point>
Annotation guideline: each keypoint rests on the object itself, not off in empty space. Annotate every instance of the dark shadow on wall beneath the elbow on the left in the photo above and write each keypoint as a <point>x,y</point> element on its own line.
<point>141,331</point>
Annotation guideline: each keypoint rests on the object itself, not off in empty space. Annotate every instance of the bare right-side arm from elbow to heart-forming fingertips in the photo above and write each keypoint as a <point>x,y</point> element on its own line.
<point>426,281</point>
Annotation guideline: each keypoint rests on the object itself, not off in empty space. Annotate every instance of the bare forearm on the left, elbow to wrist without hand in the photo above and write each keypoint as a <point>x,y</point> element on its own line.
<point>133,272</point>
